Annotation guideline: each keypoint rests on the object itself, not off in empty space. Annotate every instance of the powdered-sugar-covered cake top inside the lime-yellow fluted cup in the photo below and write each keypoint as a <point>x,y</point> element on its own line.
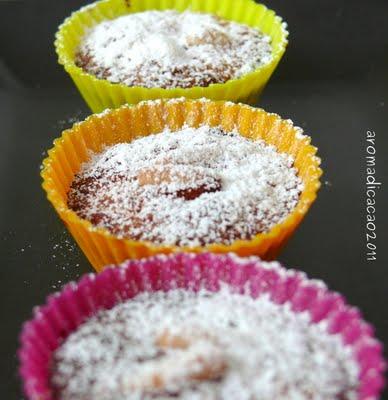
<point>169,49</point>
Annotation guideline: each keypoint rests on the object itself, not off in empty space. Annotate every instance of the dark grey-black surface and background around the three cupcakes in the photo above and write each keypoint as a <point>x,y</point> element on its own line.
<point>332,82</point>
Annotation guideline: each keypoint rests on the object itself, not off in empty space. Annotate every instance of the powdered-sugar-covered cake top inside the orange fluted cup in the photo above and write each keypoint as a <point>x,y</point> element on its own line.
<point>192,187</point>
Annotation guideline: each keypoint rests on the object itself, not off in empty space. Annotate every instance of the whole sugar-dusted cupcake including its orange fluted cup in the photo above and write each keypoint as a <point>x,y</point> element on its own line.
<point>181,175</point>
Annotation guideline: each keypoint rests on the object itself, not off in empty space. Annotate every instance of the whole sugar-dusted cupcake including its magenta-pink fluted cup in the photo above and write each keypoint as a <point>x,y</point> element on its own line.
<point>199,326</point>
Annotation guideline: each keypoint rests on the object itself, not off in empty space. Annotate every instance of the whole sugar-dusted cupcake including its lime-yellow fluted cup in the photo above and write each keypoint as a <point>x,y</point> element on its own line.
<point>117,52</point>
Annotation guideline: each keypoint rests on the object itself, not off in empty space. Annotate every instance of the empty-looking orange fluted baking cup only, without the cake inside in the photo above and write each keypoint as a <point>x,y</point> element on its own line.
<point>129,122</point>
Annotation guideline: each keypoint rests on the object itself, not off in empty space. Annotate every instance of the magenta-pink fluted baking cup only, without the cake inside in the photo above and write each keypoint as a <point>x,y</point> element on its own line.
<point>66,310</point>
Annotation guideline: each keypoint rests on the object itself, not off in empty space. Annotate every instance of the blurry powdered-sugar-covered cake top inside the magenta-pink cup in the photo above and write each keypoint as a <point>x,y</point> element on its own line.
<point>204,345</point>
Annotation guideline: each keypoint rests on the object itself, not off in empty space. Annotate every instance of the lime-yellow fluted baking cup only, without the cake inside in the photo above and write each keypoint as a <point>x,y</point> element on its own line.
<point>100,94</point>
